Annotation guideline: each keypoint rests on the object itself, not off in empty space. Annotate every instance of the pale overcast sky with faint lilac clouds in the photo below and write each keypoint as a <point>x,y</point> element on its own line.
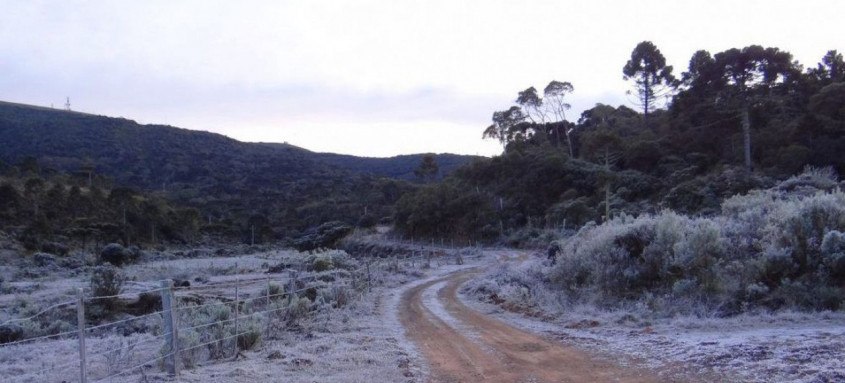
<point>366,77</point>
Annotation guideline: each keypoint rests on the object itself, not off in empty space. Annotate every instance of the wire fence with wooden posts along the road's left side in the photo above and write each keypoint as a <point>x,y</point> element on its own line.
<point>196,325</point>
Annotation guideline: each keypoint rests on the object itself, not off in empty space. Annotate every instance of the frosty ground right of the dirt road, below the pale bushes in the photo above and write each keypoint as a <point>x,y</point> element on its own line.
<point>782,347</point>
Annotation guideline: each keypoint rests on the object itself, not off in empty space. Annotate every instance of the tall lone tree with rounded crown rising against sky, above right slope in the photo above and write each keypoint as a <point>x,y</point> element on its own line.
<point>652,77</point>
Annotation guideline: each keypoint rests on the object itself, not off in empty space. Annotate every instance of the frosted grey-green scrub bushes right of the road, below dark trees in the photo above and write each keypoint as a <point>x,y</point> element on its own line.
<point>777,248</point>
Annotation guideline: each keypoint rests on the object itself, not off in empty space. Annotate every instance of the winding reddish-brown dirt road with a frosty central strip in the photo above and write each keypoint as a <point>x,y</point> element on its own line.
<point>482,349</point>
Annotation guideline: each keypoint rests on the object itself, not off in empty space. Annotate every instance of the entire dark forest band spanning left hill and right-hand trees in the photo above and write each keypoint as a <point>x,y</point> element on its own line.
<point>730,122</point>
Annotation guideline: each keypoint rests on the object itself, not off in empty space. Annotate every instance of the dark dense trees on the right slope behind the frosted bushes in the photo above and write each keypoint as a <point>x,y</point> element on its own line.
<point>738,120</point>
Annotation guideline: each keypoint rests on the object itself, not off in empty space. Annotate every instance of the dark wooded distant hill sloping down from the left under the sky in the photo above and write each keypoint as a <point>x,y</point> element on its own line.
<point>230,181</point>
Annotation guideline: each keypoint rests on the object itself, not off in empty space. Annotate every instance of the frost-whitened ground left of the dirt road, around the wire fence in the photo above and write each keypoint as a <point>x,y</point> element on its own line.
<point>361,342</point>
